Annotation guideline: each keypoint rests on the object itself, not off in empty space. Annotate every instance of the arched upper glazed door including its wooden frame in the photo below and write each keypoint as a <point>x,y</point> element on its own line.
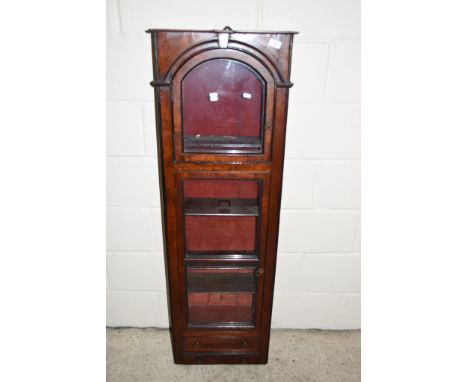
<point>223,108</point>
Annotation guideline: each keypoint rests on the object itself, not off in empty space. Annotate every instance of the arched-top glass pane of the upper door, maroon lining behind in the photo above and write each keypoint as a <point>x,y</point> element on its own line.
<point>222,102</point>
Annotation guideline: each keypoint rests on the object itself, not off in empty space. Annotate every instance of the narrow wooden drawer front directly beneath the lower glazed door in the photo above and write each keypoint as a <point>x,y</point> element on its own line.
<point>231,344</point>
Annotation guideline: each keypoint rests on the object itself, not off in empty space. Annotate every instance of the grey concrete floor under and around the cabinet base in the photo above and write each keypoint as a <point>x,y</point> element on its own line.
<point>140,355</point>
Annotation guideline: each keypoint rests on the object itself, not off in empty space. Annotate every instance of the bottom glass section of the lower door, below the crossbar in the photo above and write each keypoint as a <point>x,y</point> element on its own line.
<point>220,296</point>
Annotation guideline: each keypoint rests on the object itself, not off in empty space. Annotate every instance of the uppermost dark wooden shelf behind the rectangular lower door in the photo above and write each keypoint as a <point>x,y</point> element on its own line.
<point>221,207</point>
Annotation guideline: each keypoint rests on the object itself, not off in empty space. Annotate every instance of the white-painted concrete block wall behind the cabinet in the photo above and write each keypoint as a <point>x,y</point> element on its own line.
<point>318,276</point>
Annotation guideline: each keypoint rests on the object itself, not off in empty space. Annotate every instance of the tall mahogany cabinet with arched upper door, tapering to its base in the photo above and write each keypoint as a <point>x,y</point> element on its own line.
<point>221,102</point>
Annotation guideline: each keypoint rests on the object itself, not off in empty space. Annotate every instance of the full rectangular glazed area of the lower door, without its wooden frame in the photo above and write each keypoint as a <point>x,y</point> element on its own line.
<point>221,223</point>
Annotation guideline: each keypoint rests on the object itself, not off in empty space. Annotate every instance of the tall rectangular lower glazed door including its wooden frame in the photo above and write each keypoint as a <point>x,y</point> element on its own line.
<point>221,228</point>
